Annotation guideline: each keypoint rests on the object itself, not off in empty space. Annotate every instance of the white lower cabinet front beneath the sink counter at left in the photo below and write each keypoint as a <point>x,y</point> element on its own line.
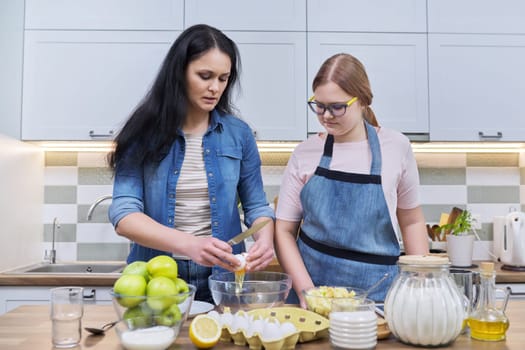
<point>12,297</point>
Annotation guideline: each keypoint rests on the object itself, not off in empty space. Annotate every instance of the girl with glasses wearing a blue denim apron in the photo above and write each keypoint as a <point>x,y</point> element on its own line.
<point>350,187</point>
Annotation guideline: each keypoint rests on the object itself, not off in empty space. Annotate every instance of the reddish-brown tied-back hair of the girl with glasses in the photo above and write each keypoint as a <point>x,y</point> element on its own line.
<point>350,75</point>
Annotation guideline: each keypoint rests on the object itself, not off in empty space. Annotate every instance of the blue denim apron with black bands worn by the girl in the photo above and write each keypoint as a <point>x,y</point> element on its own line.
<point>347,237</point>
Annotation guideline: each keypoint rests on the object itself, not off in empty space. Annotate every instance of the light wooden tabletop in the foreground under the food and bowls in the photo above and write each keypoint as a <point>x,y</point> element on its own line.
<point>29,328</point>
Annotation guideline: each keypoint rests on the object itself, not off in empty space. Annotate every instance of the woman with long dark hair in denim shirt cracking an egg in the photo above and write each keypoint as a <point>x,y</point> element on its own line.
<point>182,161</point>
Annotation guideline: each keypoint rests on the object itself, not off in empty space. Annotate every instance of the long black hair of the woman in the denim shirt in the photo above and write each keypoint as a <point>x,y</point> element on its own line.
<point>154,124</point>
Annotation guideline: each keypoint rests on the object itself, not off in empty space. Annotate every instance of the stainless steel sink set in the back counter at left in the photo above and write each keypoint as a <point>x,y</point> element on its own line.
<point>73,267</point>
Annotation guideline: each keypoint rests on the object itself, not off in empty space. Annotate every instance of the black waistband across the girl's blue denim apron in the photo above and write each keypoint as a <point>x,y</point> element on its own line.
<point>348,254</point>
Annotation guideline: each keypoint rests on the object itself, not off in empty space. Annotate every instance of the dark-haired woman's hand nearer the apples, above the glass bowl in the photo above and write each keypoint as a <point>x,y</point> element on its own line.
<point>210,251</point>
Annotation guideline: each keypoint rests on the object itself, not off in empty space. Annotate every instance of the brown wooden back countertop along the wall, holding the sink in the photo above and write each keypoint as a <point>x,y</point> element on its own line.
<point>91,279</point>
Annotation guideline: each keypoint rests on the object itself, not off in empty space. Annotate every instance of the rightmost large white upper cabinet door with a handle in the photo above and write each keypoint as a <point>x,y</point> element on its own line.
<point>476,87</point>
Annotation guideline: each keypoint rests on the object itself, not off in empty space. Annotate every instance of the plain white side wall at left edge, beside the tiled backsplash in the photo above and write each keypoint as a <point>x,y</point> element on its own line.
<point>21,203</point>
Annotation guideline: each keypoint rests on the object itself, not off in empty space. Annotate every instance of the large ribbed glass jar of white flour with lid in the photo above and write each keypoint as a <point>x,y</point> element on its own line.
<point>423,306</point>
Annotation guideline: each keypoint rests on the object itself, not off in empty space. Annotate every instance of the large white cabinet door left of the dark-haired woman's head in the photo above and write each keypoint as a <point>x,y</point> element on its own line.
<point>81,85</point>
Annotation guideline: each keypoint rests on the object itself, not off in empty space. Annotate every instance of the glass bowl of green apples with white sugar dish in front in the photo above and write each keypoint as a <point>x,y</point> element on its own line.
<point>151,303</point>
